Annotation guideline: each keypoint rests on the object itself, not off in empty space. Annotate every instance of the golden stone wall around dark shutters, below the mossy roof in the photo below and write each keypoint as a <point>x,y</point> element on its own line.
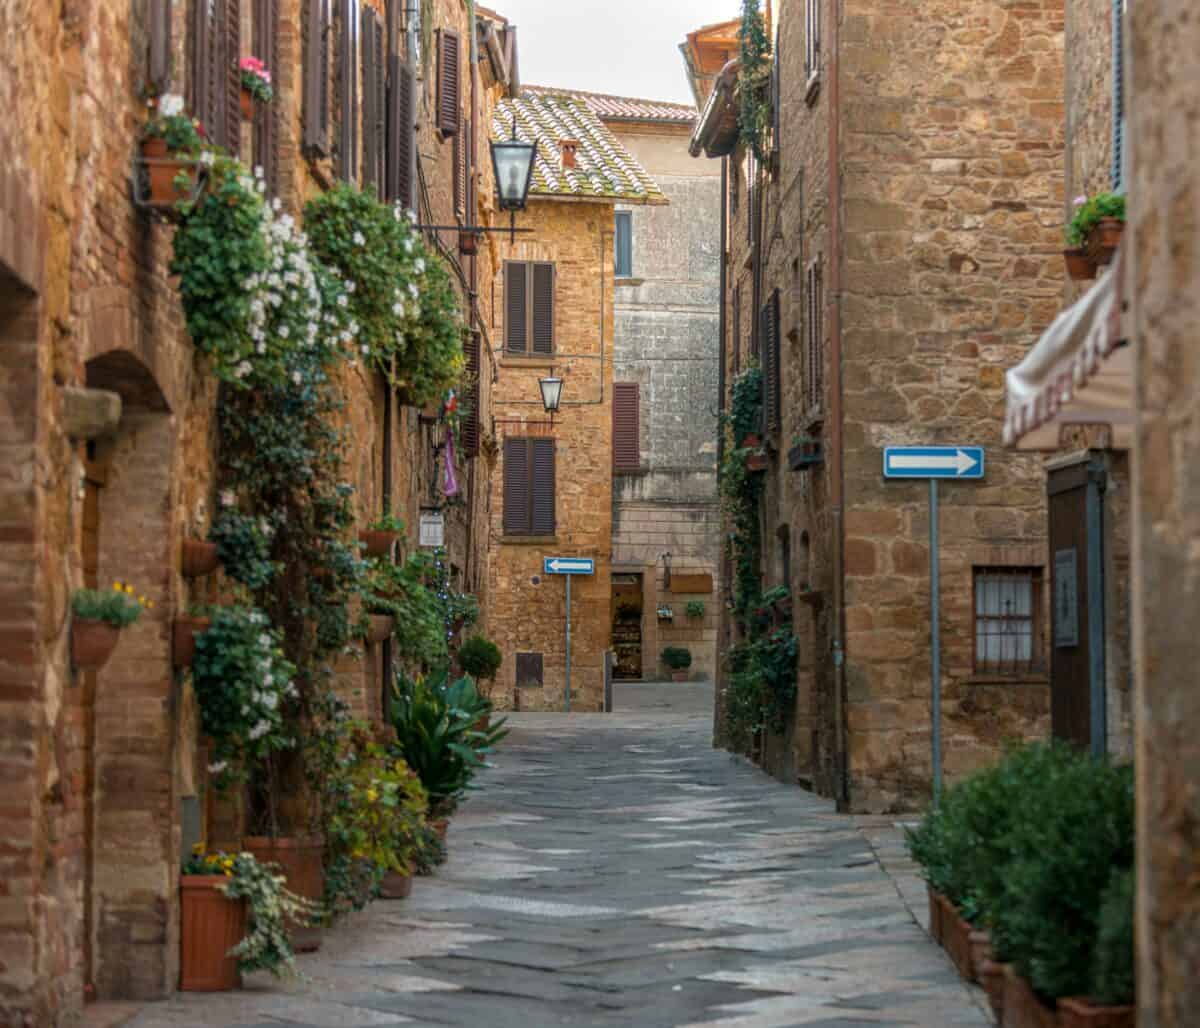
<point>527,608</point>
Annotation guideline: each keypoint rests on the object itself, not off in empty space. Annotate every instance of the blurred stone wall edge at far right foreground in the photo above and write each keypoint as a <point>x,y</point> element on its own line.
<point>1165,286</point>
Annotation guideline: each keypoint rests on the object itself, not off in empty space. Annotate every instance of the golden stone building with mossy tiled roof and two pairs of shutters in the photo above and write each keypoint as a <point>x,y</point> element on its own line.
<point>553,489</point>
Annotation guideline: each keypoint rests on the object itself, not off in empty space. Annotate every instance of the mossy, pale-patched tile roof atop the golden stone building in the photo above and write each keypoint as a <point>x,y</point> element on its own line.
<point>604,167</point>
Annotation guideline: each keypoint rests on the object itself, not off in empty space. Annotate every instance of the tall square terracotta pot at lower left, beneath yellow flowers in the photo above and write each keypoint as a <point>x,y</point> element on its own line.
<point>213,924</point>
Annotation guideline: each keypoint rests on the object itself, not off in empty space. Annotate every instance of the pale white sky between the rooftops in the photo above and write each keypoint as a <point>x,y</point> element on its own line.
<point>627,47</point>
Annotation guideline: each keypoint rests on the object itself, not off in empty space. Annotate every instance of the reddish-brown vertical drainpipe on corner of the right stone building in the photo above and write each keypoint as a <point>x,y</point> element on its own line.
<point>837,471</point>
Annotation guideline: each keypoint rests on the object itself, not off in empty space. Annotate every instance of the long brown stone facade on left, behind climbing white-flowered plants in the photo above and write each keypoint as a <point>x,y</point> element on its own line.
<point>107,425</point>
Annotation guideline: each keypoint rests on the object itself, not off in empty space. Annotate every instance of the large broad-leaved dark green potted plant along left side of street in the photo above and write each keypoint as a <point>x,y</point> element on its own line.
<point>437,736</point>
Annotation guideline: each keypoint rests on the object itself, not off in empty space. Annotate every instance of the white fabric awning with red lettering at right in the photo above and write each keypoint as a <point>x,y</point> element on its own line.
<point>1081,372</point>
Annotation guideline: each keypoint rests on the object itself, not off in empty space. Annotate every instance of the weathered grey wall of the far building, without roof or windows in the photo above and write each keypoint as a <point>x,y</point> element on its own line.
<point>667,341</point>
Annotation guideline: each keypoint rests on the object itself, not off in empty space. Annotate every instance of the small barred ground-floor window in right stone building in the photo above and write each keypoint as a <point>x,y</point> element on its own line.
<point>1009,621</point>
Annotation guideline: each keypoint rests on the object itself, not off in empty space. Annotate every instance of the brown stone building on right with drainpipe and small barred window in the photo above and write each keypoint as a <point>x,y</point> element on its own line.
<point>908,227</point>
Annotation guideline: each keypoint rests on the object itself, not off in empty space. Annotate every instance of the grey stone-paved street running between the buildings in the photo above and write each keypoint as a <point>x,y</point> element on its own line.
<point>617,871</point>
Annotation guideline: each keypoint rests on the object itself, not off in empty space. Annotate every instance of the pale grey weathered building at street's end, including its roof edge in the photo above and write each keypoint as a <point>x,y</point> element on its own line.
<point>665,347</point>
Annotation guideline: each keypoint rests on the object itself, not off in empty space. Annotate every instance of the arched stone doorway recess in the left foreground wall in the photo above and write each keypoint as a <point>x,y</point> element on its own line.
<point>130,706</point>
